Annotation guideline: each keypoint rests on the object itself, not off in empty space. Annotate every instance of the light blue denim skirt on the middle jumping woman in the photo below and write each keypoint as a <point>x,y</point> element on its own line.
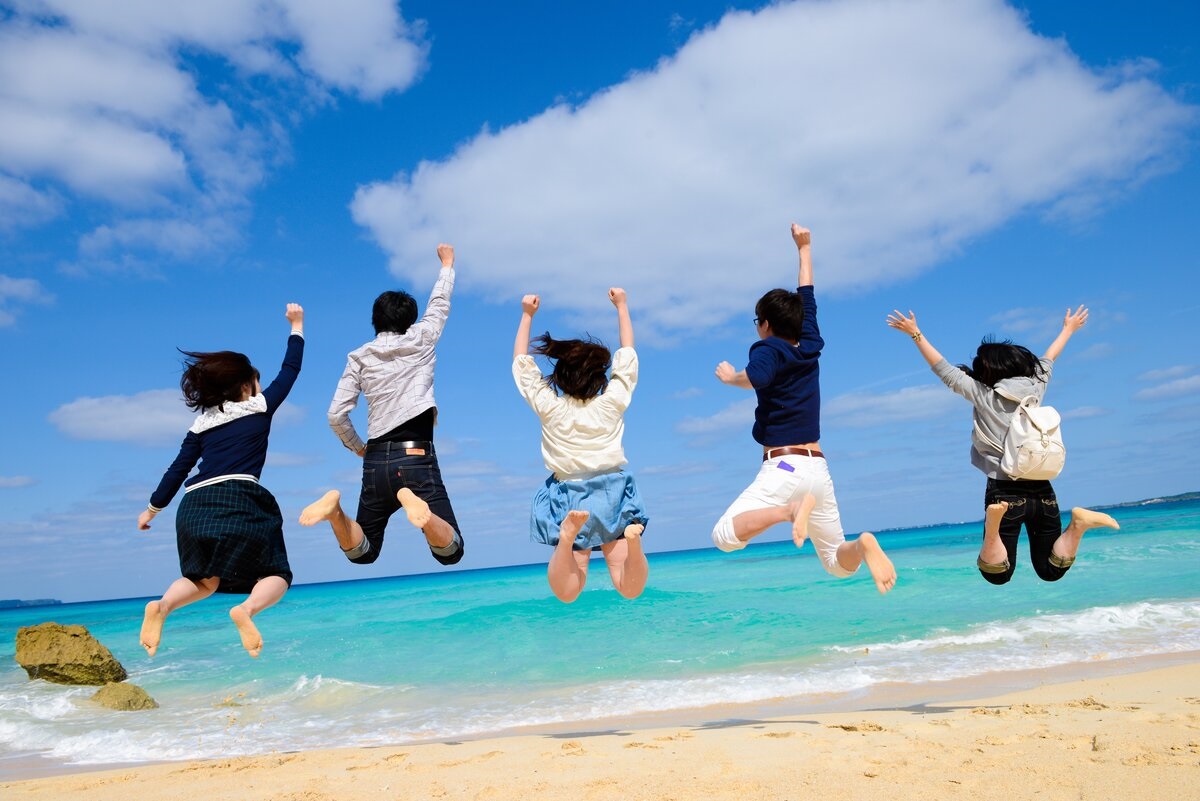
<point>611,499</point>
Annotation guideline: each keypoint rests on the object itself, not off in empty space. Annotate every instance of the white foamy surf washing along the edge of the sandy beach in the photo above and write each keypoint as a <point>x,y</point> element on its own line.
<point>320,712</point>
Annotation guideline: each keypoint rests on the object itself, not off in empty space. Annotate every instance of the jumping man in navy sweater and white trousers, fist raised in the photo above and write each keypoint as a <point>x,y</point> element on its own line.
<point>794,484</point>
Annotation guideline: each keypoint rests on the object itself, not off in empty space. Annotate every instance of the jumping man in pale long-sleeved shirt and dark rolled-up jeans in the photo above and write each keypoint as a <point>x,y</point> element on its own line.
<point>400,467</point>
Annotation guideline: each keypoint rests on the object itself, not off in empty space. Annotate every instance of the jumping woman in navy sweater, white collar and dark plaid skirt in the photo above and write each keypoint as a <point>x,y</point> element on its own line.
<point>229,528</point>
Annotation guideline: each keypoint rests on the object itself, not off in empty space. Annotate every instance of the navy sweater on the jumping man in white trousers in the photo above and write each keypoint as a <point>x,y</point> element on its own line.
<point>787,380</point>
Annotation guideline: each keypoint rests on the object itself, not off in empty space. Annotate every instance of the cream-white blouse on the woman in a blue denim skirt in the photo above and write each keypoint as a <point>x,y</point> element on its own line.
<point>580,438</point>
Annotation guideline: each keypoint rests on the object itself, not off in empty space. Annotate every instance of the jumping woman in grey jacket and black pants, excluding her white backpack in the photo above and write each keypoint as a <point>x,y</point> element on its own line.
<point>1000,372</point>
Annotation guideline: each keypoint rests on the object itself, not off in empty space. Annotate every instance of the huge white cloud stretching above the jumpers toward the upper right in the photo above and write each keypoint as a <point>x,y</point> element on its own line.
<point>895,130</point>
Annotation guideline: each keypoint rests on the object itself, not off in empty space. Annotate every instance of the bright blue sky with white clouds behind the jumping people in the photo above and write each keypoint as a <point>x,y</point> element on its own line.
<point>172,174</point>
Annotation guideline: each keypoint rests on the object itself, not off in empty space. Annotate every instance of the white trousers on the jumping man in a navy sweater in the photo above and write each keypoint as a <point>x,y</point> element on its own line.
<point>783,481</point>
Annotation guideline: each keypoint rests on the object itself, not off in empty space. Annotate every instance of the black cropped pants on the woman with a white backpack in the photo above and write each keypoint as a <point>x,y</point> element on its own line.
<point>1034,504</point>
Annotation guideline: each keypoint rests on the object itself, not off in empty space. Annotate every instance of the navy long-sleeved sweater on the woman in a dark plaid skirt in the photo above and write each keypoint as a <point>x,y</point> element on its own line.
<point>237,448</point>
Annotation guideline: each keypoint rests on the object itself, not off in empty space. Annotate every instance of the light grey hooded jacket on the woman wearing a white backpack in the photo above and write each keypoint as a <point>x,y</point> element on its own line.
<point>993,412</point>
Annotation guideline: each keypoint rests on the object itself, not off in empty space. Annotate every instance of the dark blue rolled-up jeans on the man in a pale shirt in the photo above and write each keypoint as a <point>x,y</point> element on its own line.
<point>387,469</point>
